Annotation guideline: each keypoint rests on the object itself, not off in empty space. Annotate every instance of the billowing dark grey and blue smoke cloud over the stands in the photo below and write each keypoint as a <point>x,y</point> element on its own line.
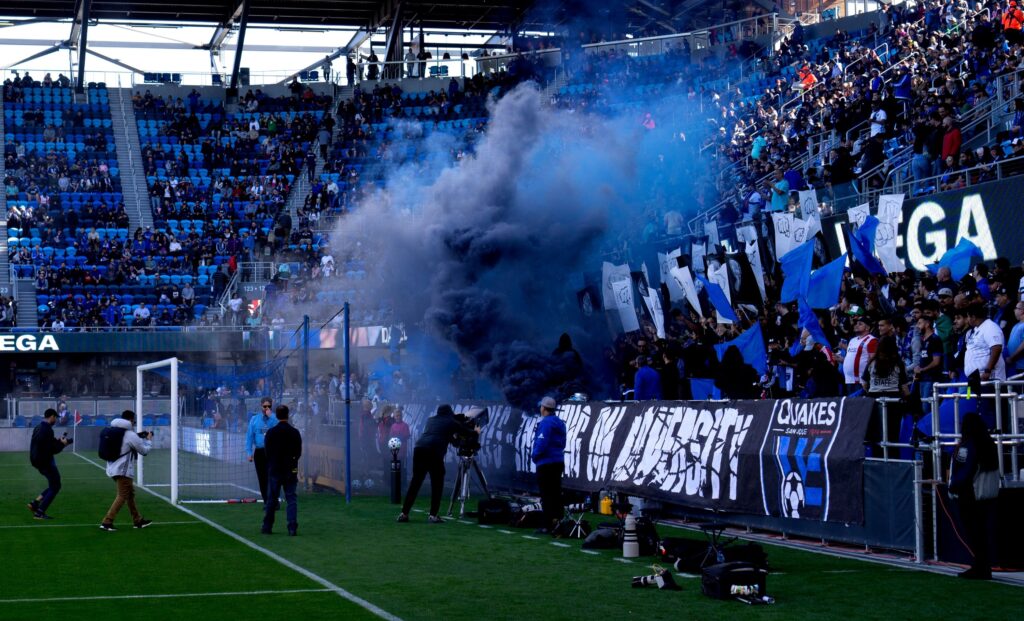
<point>481,255</point>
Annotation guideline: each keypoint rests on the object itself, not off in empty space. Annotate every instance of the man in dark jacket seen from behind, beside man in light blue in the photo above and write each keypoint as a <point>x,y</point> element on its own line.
<point>284,447</point>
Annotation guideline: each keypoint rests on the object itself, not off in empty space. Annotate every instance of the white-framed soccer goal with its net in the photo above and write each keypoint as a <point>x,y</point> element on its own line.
<point>200,451</point>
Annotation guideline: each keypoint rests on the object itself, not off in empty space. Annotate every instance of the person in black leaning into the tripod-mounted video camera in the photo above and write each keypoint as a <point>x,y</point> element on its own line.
<point>429,458</point>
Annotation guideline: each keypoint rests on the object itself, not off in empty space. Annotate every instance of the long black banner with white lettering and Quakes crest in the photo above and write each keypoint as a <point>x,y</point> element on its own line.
<point>791,459</point>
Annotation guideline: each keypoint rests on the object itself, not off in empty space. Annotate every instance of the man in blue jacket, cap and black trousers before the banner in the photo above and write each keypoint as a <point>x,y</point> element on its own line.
<point>549,456</point>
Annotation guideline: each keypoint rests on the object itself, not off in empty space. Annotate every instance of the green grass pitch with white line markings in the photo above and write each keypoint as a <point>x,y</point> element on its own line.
<point>185,568</point>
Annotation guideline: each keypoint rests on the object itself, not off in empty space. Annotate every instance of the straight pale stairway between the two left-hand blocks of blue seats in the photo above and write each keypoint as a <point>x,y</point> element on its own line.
<point>134,185</point>
